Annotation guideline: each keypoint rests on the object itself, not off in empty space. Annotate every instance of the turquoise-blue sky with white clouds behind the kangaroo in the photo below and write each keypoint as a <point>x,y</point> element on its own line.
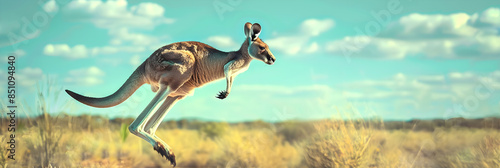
<point>393,59</point>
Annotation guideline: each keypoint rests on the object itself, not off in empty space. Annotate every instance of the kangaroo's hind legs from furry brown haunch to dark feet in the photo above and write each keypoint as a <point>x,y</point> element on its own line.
<point>174,69</point>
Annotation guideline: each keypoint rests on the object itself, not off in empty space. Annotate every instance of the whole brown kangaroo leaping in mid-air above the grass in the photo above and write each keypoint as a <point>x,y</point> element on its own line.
<point>174,71</point>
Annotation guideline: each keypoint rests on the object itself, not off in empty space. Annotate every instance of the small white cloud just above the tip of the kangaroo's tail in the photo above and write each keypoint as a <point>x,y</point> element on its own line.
<point>85,76</point>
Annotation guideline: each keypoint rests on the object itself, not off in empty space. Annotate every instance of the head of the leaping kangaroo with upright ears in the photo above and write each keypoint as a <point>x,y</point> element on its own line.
<point>257,49</point>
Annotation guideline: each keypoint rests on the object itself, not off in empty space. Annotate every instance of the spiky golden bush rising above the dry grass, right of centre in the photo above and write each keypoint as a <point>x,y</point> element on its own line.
<point>338,144</point>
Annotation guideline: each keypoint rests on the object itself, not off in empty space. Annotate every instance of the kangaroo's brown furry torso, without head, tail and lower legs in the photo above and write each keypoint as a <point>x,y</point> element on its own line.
<point>189,65</point>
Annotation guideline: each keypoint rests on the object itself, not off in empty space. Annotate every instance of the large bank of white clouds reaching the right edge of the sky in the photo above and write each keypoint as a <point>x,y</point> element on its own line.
<point>435,36</point>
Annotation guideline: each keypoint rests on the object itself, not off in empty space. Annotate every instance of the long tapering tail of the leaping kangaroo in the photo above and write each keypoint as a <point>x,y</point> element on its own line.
<point>135,81</point>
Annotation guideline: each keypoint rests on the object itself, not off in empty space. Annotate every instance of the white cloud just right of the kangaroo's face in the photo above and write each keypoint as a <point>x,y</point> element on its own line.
<point>296,43</point>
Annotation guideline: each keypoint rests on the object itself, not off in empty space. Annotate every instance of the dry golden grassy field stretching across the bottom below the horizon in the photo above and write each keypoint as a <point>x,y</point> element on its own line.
<point>87,141</point>
